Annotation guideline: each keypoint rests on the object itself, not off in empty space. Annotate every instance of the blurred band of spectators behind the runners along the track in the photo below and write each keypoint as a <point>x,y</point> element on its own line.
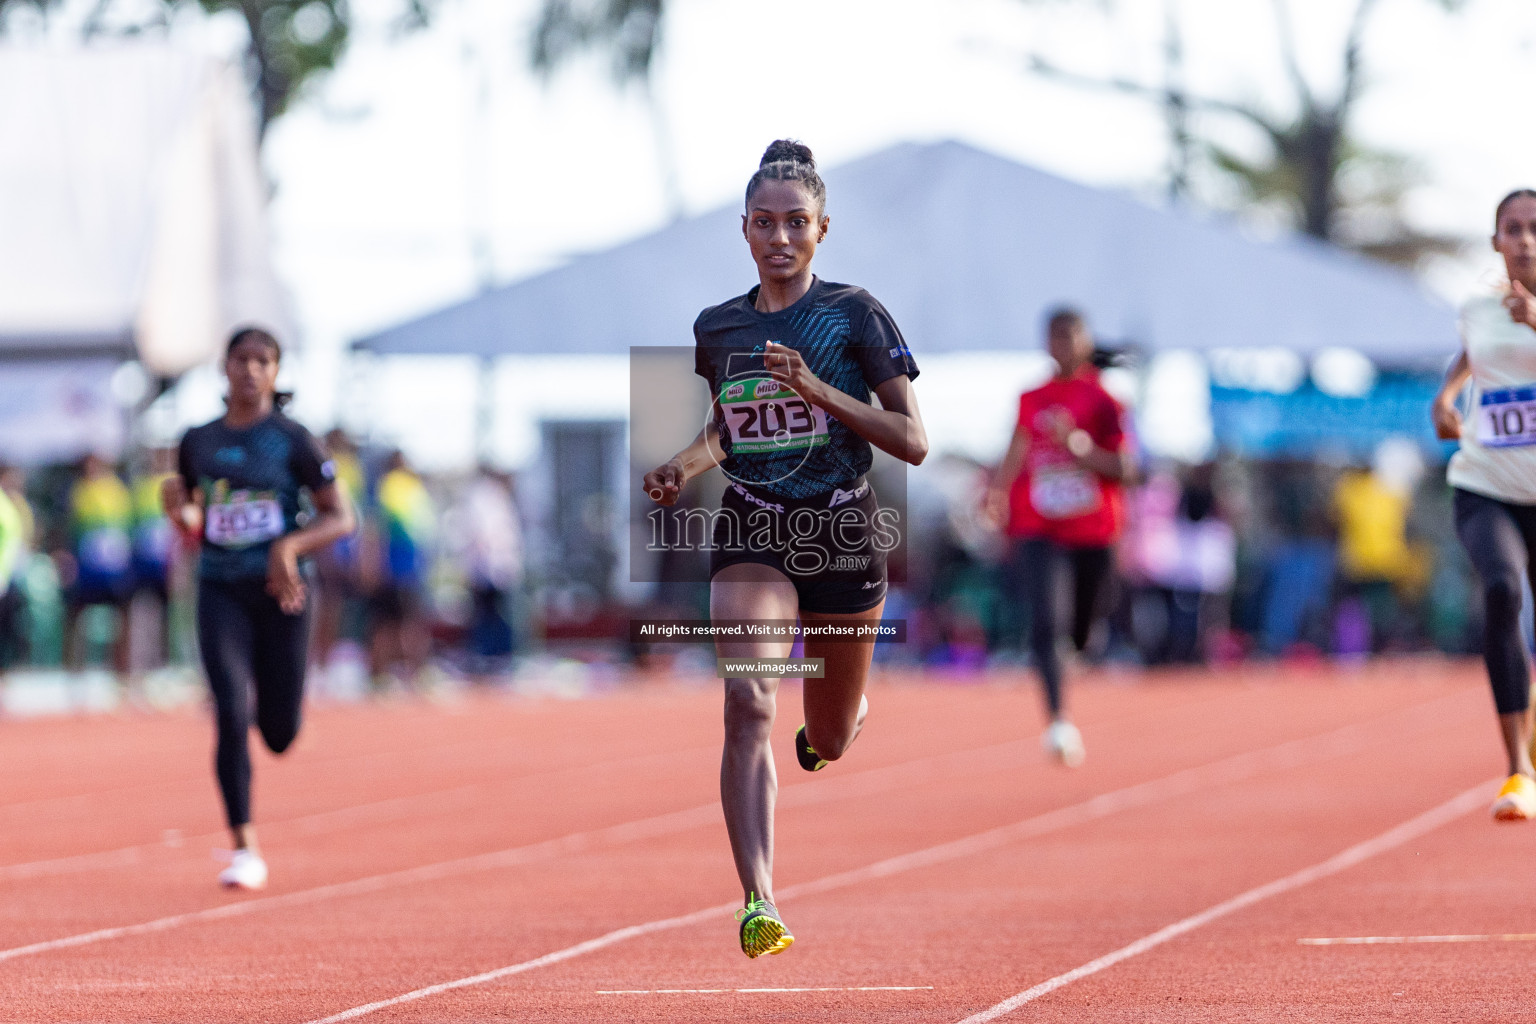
<point>1222,561</point>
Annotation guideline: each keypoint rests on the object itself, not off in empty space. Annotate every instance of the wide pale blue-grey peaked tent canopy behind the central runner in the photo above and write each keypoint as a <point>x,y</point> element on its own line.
<point>968,253</point>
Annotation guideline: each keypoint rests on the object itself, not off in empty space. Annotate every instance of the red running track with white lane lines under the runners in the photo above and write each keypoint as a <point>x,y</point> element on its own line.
<point>543,860</point>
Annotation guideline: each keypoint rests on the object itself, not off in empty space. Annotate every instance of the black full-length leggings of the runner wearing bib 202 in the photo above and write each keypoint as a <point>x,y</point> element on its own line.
<point>250,649</point>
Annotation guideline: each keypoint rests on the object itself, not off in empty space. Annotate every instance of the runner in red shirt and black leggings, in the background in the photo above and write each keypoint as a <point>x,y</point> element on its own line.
<point>1059,491</point>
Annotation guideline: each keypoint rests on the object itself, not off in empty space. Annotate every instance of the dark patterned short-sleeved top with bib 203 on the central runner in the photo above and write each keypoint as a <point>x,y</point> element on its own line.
<point>773,440</point>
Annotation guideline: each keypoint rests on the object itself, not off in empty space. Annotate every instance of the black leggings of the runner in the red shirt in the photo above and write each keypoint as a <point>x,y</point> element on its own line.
<point>1034,570</point>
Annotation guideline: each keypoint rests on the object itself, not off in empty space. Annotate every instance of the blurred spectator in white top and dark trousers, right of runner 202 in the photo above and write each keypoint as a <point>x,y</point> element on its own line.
<point>494,563</point>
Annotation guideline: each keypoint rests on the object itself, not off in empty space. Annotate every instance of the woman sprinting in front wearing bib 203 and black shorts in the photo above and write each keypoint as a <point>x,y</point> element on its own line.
<point>792,366</point>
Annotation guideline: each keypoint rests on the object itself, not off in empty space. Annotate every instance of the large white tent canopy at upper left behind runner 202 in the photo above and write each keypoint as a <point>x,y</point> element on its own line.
<point>133,206</point>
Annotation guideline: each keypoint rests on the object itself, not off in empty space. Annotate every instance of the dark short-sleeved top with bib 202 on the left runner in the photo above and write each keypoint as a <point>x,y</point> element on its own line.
<point>251,486</point>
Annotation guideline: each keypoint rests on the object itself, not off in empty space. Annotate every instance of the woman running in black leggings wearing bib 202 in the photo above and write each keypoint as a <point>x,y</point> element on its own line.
<point>240,491</point>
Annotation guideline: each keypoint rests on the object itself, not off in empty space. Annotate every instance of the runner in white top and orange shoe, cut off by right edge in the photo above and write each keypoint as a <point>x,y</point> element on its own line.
<point>1494,477</point>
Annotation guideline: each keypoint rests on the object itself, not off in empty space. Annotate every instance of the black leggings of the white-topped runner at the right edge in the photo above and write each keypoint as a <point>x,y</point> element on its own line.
<point>1500,540</point>
